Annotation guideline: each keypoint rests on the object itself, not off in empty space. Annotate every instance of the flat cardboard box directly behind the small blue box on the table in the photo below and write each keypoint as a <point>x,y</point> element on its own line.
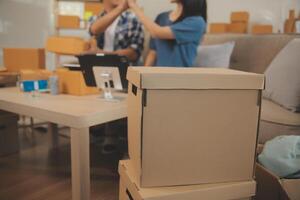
<point>35,75</point>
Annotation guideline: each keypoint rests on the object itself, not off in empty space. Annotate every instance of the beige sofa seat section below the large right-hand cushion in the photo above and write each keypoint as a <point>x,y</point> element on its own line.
<point>273,112</point>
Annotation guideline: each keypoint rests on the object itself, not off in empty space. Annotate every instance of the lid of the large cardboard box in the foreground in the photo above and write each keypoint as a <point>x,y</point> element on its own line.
<point>193,78</point>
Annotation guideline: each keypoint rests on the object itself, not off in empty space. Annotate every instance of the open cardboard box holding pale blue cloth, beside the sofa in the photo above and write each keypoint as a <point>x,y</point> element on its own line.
<point>270,186</point>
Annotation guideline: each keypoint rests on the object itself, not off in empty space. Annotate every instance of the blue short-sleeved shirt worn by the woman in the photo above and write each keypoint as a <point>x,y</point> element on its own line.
<point>181,51</point>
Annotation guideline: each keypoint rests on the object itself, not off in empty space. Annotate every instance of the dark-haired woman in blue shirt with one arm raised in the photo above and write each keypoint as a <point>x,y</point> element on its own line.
<point>176,34</point>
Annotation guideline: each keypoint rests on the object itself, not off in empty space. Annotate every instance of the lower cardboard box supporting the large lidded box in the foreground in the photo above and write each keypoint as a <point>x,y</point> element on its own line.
<point>130,190</point>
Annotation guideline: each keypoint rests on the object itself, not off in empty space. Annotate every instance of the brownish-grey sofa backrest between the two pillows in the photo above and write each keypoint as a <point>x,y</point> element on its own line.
<point>252,53</point>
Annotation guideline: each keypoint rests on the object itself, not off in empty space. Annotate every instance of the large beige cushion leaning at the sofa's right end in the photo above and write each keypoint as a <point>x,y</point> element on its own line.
<point>283,77</point>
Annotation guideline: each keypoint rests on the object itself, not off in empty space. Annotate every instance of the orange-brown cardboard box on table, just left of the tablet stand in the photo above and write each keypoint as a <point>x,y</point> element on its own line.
<point>72,82</point>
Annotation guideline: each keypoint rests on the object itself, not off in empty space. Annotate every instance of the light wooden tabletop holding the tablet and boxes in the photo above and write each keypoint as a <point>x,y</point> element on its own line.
<point>72,111</point>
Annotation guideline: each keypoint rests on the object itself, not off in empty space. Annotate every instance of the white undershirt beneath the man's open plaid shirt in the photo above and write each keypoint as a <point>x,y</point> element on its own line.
<point>109,36</point>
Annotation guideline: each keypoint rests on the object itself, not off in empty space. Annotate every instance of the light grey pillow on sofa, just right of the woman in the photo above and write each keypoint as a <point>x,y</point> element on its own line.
<point>214,55</point>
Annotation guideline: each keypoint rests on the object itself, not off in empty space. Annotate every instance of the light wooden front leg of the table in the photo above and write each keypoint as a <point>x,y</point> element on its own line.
<point>80,155</point>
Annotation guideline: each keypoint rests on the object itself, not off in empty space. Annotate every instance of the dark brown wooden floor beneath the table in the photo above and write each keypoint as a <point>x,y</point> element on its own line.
<point>40,172</point>
